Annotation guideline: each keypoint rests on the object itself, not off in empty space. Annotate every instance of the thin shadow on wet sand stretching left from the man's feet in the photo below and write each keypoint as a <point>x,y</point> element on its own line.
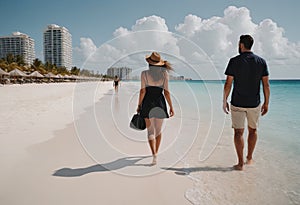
<point>187,171</point>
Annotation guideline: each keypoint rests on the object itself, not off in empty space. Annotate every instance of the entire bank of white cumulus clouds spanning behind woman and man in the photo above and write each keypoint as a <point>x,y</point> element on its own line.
<point>203,44</point>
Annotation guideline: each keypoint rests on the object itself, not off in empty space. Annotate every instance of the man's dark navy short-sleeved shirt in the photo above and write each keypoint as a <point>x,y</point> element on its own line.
<point>247,70</point>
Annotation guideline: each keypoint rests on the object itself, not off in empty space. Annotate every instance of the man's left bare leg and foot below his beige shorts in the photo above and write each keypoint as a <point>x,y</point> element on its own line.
<point>239,146</point>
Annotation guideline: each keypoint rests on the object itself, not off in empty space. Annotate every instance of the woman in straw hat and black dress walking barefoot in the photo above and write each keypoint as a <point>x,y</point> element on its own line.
<point>152,99</point>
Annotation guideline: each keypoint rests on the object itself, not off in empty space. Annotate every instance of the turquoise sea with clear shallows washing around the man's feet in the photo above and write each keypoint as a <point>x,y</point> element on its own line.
<point>275,177</point>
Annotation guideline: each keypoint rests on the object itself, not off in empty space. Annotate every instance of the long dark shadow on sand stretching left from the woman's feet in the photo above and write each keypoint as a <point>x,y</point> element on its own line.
<point>115,165</point>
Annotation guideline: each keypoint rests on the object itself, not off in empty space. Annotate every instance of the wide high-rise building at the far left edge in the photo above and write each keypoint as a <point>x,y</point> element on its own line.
<point>18,44</point>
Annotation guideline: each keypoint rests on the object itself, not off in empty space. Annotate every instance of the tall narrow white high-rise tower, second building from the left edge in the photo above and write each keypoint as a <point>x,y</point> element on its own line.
<point>58,46</point>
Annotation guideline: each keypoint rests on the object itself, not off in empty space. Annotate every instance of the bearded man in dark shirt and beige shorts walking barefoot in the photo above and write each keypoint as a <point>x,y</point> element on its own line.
<point>246,71</point>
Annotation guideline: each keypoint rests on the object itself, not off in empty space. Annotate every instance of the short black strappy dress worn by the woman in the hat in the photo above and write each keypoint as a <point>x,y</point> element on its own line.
<point>154,103</point>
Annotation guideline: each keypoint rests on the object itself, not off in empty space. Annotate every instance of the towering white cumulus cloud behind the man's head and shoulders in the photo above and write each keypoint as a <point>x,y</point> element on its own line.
<point>218,37</point>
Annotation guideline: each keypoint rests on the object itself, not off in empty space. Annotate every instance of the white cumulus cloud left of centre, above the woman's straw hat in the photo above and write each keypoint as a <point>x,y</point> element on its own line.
<point>129,46</point>
